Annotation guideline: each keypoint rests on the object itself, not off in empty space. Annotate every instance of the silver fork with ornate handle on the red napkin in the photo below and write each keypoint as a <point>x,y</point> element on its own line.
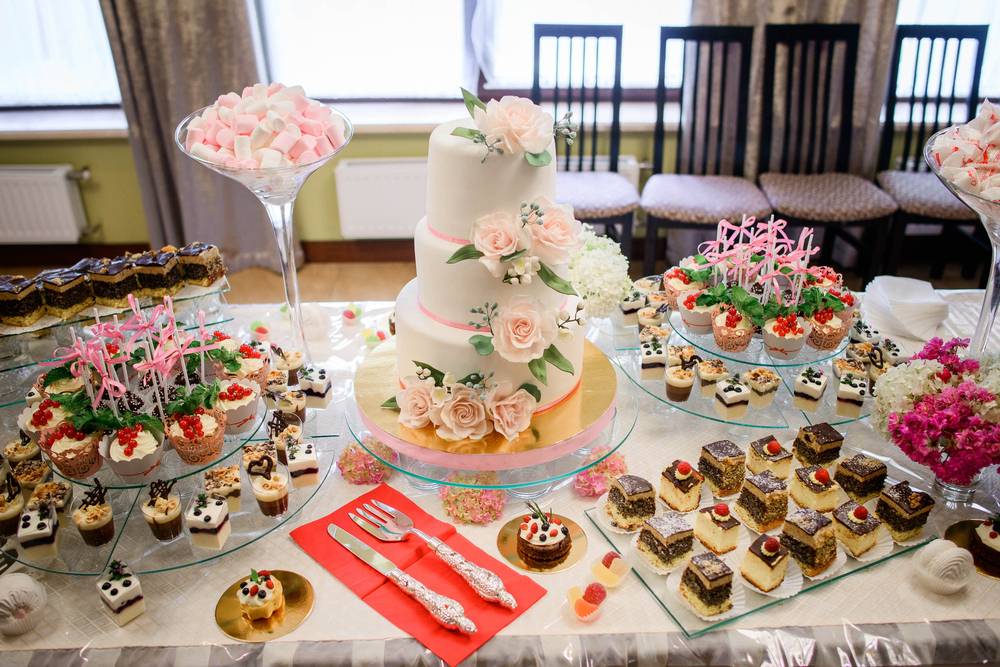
<point>390,525</point>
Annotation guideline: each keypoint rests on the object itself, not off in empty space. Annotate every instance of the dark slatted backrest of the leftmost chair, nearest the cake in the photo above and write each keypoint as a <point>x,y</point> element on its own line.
<point>571,90</point>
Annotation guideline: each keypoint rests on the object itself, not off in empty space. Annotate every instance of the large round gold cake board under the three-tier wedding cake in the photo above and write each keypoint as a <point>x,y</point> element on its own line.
<point>376,380</point>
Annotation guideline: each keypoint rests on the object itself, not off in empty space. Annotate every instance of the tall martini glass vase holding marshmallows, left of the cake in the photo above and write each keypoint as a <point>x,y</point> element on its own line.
<point>276,188</point>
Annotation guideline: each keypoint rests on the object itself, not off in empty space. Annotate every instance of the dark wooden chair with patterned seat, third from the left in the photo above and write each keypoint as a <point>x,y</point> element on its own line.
<point>806,179</point>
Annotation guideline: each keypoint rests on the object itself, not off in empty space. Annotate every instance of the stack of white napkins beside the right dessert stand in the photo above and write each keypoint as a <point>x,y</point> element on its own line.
<point>904,307</point>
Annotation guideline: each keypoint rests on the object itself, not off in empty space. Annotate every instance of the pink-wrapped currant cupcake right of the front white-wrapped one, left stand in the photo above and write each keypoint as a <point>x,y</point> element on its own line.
<point>196,426</point>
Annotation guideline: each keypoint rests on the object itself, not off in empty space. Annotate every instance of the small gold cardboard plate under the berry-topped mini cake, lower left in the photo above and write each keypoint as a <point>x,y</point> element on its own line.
<point>299,599</point>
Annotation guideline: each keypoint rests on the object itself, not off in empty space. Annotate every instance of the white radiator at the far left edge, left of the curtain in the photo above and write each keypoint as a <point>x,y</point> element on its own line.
<point>40,204</point>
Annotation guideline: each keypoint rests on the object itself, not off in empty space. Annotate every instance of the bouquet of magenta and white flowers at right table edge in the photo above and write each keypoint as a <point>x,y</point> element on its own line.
<point>942,411</point>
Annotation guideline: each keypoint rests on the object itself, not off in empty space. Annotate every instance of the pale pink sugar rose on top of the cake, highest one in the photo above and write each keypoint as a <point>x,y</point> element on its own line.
<point>519,125</point>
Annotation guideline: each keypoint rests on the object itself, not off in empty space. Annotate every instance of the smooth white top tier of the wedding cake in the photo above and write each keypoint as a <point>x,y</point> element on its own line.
<point>461,187</point>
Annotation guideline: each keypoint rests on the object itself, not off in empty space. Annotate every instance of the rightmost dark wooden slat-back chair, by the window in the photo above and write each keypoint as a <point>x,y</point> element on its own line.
<point>921,197</point>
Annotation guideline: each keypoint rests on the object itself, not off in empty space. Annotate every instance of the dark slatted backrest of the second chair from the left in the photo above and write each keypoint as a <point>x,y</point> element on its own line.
<point>710,112</point>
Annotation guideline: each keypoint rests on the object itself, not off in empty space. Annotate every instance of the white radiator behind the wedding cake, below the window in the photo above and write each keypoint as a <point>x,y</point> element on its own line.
<point>384,198</point>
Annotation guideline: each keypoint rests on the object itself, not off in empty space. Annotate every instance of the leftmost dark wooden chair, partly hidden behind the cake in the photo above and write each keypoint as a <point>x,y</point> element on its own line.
<point>598,197</point>
